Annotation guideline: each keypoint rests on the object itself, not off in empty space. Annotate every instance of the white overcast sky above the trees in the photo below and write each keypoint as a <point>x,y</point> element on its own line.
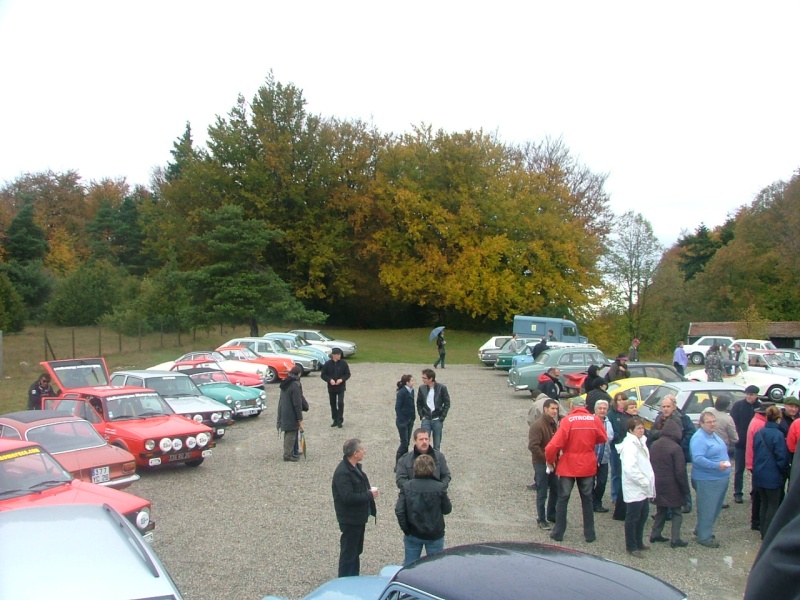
<point>690,107</point>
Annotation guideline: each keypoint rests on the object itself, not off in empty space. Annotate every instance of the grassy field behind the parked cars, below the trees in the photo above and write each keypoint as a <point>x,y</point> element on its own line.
<point>22,352</point>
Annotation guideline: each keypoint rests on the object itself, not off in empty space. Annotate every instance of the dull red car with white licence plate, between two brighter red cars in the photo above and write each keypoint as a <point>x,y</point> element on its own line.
<point>75,444</point>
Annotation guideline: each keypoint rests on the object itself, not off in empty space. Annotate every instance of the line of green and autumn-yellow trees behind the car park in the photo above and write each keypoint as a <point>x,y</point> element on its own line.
<point>286,216</point>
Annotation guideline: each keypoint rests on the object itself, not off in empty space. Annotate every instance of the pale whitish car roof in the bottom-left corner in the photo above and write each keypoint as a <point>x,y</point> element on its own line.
<point>88,550</point>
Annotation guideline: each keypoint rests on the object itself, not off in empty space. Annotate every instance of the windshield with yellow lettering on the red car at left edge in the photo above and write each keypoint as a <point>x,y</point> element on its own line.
<point>29,471</point>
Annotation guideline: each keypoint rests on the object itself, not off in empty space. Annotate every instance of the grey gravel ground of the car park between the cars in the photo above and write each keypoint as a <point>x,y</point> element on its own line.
<point>246,524</point>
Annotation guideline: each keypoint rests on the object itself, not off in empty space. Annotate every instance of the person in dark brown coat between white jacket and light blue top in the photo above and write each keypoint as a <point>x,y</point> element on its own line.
<point>672,482</point>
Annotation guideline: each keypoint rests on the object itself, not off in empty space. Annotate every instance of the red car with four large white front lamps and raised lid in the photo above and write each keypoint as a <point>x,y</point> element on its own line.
<point>136,419</point>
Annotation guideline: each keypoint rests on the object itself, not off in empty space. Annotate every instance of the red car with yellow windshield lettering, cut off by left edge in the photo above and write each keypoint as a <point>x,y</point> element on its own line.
<point>29,477</point>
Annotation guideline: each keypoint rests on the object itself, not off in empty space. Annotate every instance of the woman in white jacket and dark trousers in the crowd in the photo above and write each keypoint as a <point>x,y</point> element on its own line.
<point>638,485</point>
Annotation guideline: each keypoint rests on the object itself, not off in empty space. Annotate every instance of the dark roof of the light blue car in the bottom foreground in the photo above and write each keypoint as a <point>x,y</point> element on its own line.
<point>513,569</point>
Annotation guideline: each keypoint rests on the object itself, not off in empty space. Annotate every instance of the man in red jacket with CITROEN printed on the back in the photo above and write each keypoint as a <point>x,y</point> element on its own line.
<point>578,433</point>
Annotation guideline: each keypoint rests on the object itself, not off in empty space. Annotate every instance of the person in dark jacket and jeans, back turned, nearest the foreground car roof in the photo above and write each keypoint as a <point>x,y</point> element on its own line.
<point>421,507</point>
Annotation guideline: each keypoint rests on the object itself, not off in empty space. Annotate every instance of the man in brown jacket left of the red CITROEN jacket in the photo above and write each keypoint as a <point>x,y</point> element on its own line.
<point>539,434</point>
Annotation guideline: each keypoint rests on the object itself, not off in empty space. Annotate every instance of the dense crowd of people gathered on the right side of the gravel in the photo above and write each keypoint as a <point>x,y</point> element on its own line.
<point>602,438</point>
